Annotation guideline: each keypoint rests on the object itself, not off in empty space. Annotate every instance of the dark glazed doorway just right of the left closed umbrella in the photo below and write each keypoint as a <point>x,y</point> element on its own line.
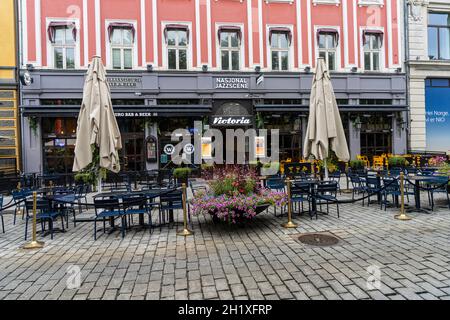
<point>132,154</point>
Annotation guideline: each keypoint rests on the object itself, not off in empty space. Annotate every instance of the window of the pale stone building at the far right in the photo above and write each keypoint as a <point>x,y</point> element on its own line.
<point>439,36</point>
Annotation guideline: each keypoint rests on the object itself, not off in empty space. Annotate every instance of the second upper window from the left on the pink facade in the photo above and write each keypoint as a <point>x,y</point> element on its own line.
<point>121,37</point>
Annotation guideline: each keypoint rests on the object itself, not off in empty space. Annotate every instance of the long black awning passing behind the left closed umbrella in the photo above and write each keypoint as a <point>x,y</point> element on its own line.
<point>122,110</point>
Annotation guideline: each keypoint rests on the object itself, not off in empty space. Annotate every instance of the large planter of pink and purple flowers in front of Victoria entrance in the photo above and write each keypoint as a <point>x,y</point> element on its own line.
<point>235,196</point>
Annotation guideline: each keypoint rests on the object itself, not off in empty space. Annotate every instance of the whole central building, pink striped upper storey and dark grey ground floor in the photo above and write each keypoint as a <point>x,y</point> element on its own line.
<point>171,63</point>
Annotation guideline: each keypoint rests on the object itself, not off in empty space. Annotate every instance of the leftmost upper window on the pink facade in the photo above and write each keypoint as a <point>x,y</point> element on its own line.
<point>63,37</point>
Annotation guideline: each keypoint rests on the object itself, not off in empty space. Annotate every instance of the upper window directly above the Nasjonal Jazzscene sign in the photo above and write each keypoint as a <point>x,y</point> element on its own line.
<point>230,44</point>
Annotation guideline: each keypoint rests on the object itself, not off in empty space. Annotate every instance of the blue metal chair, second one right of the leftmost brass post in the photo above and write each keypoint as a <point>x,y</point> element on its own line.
<point>108,209</point>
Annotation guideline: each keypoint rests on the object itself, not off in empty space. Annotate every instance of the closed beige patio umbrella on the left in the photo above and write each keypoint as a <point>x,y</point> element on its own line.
<point>97,124</point>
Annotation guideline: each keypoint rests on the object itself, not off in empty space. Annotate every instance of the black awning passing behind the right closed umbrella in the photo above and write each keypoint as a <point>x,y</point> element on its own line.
<point>305,108</point>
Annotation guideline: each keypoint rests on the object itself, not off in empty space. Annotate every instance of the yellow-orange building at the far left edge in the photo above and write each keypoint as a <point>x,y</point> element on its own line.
<point>9,125</point>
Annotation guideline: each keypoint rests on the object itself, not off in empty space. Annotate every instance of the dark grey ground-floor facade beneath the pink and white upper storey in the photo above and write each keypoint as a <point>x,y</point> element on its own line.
<point>150,105</point>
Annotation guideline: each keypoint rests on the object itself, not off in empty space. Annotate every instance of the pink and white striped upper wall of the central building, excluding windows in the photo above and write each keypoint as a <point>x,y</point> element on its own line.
<point>254,20</point>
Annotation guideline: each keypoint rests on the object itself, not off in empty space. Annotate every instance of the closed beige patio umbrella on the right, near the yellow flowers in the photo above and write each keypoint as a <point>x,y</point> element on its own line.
<point>325,128</point>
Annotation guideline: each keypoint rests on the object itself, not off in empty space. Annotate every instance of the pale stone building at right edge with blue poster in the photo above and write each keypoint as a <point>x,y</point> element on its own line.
<point>429,65</point>
